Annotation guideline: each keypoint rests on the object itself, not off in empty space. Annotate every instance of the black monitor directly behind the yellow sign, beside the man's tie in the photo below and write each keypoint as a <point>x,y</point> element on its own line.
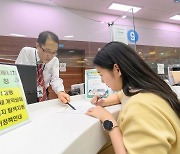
<point>28,75</point>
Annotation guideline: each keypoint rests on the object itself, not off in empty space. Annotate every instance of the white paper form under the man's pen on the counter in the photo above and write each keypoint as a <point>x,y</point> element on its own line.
<point>80,106</point>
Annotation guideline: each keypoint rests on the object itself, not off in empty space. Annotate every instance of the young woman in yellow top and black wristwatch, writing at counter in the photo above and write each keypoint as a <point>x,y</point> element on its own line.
<point>149,121</point>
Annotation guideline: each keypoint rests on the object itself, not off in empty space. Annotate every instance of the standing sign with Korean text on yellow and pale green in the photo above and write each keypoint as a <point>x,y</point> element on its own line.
<point>13,104</point>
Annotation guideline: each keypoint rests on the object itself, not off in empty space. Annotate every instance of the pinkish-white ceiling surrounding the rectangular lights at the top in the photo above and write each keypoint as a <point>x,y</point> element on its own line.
<point>156,10</point>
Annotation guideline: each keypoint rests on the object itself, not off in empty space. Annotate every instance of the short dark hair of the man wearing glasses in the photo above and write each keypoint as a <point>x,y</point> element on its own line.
<point>43,36</point>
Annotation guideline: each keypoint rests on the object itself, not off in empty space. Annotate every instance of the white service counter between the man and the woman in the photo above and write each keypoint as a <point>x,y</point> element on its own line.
<point>52,132</point>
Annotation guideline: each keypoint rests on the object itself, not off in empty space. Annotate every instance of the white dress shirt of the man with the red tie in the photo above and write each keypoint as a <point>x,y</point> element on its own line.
<point>29,56</point>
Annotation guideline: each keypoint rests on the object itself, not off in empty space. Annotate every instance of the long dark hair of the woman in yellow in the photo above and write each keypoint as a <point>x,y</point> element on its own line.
<point>136,74</point>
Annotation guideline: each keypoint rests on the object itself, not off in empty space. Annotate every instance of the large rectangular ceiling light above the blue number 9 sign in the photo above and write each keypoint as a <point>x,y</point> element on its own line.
<point>121,7</point>
